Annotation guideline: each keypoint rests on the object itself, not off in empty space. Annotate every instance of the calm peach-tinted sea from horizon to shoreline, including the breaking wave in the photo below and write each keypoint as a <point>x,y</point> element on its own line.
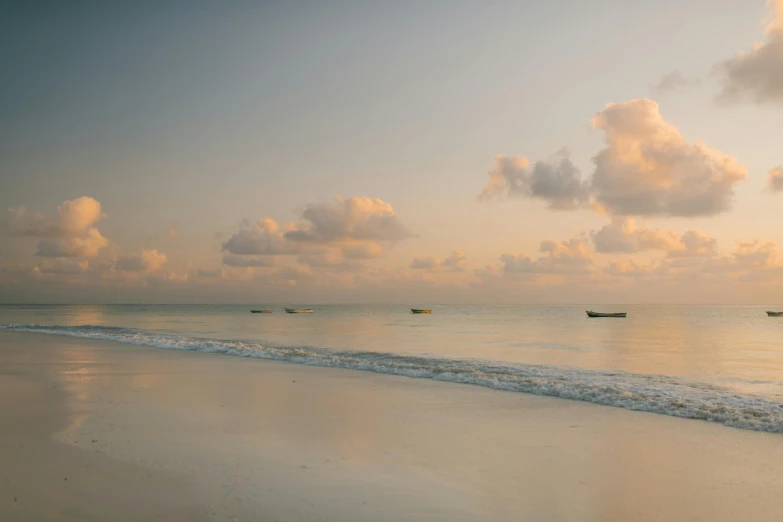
<point>723,364</point>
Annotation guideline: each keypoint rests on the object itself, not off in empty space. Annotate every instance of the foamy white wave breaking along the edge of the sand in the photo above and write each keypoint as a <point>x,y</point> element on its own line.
<point>665,395</point>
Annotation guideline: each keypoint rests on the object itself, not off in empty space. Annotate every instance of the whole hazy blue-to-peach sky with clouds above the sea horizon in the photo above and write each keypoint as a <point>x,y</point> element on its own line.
<point>430,152</point>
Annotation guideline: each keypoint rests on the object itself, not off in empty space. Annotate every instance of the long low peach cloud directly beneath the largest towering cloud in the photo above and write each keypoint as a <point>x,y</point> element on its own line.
<point>622,235</point>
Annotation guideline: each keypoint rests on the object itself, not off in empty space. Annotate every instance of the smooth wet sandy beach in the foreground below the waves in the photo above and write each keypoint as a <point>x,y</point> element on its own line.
<point>95,430</point>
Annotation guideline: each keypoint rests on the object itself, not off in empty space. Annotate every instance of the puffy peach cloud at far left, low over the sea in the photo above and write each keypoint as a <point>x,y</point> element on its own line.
<point>70,234</point>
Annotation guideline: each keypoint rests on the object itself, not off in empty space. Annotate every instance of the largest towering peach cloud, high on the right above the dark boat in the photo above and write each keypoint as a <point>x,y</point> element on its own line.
<point>648,169</point>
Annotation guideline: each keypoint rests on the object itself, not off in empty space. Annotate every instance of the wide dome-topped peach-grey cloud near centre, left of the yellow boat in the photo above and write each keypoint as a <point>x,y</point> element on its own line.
<point>355,218</point>
